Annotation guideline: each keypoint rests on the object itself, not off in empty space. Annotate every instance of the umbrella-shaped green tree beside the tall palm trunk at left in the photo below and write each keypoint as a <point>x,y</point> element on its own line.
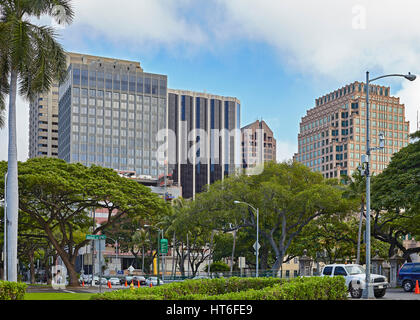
<point>57,196</point>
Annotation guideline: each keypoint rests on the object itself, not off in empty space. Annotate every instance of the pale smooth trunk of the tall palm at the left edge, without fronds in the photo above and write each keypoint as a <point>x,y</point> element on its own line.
<point>12,197</point>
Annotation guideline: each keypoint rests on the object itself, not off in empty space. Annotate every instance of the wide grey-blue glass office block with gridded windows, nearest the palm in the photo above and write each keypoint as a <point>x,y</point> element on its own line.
<point>109,114</point>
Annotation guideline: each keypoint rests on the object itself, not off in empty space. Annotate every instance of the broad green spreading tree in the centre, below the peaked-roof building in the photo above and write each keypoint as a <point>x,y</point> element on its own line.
<point>289,196</point>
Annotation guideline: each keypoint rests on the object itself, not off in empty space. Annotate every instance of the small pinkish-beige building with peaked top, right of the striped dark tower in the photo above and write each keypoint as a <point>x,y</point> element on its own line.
<point>258,144</point>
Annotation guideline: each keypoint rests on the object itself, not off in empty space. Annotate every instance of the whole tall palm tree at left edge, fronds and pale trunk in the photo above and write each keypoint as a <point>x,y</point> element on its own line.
<point>30,55</point>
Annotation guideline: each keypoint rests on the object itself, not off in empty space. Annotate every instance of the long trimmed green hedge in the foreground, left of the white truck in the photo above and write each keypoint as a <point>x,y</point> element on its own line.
<point>314,288</point>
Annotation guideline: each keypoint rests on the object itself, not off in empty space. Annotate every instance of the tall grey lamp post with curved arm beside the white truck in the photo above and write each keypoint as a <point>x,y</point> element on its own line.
<point>368,290</point>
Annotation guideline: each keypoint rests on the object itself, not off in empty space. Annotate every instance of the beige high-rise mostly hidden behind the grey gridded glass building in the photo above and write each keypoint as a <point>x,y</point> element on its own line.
<point>43,110</point>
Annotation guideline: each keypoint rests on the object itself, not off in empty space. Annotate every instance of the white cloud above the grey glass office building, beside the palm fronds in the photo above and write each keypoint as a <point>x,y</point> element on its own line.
<point>129,22</point>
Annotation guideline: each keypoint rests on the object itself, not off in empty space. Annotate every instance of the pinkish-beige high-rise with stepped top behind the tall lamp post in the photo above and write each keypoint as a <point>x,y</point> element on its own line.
<point>332,137</point>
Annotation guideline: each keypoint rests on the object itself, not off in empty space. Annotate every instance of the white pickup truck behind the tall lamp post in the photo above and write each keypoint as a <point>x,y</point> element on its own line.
<point>355,276</point>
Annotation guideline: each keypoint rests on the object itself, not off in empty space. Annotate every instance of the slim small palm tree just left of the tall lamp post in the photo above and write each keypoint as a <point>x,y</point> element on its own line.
<point>356,189</point>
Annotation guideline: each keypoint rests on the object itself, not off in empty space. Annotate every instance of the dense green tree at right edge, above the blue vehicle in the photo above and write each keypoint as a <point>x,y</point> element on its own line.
<point>396,199</point>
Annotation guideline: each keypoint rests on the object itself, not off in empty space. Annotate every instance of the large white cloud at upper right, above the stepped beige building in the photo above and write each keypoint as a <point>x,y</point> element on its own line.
<point>319,38</point>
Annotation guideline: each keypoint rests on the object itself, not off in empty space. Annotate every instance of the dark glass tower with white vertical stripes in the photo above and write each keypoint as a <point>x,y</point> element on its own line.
<point>205,142</point>
